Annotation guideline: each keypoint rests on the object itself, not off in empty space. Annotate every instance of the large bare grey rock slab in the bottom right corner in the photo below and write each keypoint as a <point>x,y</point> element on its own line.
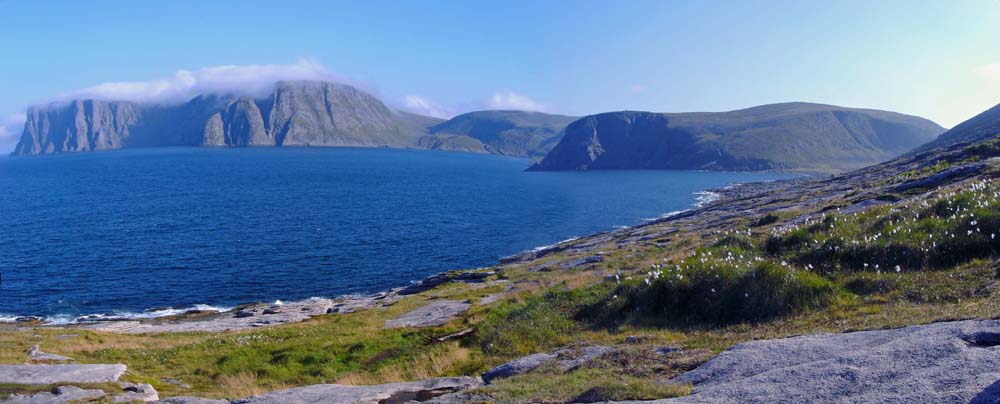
<point>950,362</point>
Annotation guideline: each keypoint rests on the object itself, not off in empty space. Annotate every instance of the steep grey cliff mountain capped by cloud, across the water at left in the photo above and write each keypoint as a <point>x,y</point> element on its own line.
<point>295,113</point>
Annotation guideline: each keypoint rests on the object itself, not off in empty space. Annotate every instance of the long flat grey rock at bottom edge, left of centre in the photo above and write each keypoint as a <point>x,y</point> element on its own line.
<point>383,393</point>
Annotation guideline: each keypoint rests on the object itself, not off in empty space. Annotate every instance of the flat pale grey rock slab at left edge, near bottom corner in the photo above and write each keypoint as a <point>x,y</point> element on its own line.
<point>60,373</point>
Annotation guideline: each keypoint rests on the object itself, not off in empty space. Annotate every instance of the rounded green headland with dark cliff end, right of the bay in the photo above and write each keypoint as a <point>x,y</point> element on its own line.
<point>791,136</point>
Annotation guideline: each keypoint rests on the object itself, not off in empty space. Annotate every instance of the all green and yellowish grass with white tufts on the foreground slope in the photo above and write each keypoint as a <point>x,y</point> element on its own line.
<point>703,292</point>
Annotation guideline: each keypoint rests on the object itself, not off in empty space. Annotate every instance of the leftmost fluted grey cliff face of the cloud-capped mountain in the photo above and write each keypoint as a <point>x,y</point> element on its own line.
<point>78,126</point>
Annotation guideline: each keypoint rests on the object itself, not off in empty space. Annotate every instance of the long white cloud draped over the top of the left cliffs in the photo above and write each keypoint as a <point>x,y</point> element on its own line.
<point>186,84</point>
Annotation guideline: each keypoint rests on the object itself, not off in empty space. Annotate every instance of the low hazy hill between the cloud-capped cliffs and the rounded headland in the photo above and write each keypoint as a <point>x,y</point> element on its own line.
<point>510,133</point>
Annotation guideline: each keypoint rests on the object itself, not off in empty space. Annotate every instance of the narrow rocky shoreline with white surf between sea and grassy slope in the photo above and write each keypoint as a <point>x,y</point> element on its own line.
<point>701,199</point>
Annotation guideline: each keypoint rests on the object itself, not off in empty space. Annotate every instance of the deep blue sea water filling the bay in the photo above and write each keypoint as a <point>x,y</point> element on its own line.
<point>124,231</point>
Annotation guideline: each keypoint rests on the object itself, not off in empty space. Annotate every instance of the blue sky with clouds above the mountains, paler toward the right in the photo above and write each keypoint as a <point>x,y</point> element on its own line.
<point>937,59</point>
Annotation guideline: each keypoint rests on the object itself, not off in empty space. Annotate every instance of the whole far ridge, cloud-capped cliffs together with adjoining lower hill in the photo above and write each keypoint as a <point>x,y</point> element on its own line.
<point>295,113</point>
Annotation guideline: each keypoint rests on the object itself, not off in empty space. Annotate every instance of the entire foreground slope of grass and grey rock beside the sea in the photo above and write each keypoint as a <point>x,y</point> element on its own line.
<point>698,306</point>
